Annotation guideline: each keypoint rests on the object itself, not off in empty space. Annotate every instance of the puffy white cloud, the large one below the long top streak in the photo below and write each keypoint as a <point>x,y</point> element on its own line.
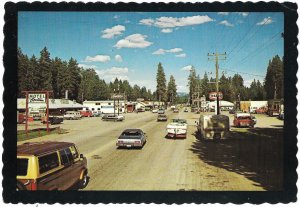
<point>133,41</point>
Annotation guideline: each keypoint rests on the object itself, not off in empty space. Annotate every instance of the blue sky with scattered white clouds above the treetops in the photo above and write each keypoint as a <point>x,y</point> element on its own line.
<point>129,45</point>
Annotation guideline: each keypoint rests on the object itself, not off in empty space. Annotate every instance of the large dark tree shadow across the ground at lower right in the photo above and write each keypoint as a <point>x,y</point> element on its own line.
<point>256,153</point>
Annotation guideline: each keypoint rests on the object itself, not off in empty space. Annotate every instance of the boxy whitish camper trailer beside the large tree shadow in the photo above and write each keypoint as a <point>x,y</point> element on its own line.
<point>213,126</point>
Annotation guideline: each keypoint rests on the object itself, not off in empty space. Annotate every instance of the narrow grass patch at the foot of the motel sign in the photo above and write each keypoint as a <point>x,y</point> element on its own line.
<point>22,136</point>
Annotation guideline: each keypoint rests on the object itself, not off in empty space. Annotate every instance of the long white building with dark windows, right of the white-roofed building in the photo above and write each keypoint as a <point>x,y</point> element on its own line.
<point>105,107</point>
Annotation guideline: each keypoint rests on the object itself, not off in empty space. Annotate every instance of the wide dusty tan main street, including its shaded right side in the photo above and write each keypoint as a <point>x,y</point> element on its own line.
<point>250,160</point>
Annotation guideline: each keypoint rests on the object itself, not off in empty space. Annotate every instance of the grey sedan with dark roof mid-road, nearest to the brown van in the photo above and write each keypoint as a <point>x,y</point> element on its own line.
<point>132,138</point>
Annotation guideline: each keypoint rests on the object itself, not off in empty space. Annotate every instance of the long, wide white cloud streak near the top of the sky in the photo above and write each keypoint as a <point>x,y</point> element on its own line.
<point>171,22</point>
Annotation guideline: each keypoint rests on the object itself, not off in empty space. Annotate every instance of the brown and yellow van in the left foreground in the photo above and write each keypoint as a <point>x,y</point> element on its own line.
<point>50,166</point>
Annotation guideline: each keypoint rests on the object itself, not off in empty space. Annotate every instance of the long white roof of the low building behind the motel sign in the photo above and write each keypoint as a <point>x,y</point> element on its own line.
<point>53,104</point>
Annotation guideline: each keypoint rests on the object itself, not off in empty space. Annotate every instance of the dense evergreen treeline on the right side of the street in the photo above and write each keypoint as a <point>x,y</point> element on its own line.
<point>233,87</point>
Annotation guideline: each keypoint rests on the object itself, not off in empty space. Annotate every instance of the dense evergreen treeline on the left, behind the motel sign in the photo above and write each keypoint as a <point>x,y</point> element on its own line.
<point>57,75</point>
